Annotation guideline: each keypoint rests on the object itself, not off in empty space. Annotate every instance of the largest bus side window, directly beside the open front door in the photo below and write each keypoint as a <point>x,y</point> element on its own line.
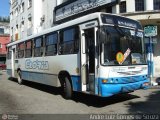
<point>69,41</point>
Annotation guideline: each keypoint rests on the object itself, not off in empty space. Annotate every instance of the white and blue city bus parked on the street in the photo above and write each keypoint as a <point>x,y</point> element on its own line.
<point>100,54</point>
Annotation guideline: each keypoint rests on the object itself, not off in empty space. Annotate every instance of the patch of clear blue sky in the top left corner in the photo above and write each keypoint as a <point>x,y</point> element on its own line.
<point>4,8</point>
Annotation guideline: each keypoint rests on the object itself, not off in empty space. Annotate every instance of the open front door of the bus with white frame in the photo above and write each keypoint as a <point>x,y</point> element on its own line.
<point>88,56</point>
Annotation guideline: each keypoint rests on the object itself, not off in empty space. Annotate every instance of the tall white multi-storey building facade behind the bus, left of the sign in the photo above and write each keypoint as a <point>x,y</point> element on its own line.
<point>29,17</point>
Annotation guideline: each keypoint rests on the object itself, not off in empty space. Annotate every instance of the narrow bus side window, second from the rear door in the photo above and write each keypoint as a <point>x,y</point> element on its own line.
<point>28,50</point>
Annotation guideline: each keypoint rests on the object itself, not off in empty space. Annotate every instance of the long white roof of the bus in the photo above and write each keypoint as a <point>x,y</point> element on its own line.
<point>65,25</point>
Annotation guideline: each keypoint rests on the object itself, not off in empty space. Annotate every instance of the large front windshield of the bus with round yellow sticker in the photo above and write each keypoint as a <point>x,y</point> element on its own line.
<point>127,42</point>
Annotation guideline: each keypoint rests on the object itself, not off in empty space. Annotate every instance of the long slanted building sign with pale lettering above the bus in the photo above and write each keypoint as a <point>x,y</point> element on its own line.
<point>79,6</point>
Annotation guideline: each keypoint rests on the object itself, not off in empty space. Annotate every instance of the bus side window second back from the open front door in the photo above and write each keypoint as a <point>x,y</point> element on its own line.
<point>51,44</point>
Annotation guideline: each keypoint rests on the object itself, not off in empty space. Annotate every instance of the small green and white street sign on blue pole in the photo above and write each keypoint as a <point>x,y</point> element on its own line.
<point>150,31</point>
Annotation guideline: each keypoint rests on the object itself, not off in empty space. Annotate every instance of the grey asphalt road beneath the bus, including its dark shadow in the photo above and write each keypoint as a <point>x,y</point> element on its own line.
<point>33,98</point>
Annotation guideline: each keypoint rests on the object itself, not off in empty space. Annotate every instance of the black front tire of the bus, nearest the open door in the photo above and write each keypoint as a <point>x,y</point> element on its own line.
<point>67,87</point>
